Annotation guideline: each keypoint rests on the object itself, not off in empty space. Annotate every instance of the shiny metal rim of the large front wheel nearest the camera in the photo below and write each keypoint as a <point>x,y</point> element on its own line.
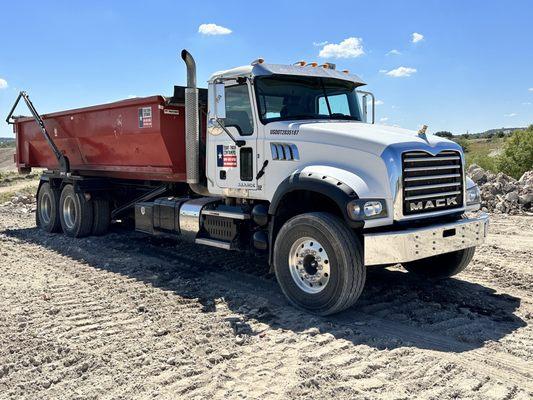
<point>309,265</point>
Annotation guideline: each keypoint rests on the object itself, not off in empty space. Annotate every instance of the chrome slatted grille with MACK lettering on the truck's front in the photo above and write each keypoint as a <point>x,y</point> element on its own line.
<point>431,182</point>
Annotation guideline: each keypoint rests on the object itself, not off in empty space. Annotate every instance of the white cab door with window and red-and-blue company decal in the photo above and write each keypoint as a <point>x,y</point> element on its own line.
<point>236,167</point>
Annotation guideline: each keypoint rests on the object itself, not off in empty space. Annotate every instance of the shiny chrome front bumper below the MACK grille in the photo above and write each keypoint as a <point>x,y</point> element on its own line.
<point>413,244</point>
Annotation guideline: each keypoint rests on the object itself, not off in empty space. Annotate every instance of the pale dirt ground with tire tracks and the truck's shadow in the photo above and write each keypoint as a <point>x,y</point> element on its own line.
<point>129,317</point>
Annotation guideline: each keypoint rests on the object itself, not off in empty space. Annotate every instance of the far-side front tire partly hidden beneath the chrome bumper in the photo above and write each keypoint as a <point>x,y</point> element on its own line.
<point>441,266</point>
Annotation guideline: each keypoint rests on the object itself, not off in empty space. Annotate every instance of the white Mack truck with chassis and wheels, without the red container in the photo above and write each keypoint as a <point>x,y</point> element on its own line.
<point>295,167</point>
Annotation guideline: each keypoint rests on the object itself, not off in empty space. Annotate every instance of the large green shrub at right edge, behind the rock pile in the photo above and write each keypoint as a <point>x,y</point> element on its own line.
<point>517,155</point>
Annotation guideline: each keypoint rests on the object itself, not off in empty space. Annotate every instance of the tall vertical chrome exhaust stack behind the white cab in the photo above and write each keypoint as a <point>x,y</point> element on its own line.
<point>192,127</point>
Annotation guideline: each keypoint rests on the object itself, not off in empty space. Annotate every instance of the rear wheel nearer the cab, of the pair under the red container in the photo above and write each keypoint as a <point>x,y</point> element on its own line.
<point>76,213</point>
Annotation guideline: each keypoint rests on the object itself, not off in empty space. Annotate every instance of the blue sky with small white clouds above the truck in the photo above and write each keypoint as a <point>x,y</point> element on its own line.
<point>453,65</point>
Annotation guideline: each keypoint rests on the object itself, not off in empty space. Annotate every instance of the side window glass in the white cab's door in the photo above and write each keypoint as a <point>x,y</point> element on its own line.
<point>239,109</point>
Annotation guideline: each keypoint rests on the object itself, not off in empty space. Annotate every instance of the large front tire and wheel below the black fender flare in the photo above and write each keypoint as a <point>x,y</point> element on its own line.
<point>319,263</point>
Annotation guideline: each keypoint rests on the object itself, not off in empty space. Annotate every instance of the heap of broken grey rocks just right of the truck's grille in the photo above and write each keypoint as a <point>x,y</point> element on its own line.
<point>501,193</point>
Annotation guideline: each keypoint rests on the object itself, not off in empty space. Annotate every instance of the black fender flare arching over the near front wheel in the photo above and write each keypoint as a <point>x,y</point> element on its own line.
<point>331,187</point>
